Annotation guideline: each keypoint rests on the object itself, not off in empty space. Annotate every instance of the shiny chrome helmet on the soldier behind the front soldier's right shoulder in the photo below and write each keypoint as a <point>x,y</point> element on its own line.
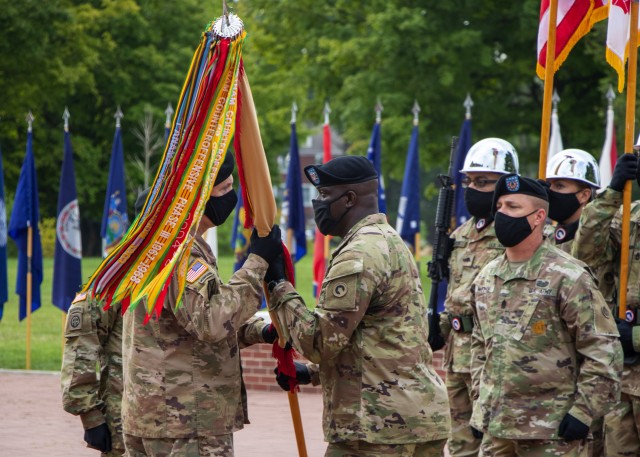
<point>574,164</point>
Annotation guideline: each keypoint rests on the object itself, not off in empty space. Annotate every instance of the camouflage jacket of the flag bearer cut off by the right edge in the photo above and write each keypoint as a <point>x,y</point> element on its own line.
<point>597,244</point>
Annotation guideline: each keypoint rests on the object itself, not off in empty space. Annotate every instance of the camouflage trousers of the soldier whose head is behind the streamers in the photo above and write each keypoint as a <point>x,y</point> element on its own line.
<point>217,446</point>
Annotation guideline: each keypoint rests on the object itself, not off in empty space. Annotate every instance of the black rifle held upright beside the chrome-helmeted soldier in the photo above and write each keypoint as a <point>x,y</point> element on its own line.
<point>438,267</point>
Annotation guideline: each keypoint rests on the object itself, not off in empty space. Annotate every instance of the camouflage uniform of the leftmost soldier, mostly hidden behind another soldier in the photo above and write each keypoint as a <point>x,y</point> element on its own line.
<point>93,338</point>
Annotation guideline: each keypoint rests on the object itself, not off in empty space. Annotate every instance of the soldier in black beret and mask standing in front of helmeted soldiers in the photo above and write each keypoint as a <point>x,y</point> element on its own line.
<point>546,360</point>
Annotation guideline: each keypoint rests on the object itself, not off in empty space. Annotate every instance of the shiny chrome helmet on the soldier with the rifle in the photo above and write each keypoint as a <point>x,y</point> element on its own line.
<point>491,154</point>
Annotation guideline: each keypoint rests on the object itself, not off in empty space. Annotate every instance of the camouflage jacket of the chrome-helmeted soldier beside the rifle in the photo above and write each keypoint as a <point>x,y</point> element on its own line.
<point>474,245</point>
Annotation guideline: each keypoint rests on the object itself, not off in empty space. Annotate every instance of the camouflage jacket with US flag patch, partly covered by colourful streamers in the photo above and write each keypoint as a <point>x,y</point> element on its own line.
<point>182,371</point>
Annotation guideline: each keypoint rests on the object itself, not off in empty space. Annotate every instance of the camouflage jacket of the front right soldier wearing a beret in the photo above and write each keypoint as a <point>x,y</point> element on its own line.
<point>545,344</point>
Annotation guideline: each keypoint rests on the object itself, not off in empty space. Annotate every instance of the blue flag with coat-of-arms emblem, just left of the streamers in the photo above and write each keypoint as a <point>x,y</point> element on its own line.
<point>114,217</point>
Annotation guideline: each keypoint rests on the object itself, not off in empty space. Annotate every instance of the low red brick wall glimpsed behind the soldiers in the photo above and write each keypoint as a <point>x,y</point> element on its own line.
<point>258,365</point>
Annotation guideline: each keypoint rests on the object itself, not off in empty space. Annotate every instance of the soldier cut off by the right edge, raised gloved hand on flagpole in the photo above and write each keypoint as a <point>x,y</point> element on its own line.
<point>598,243</point>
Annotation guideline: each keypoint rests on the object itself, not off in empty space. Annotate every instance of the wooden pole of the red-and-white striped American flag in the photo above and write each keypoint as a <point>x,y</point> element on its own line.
<point>548,89</point>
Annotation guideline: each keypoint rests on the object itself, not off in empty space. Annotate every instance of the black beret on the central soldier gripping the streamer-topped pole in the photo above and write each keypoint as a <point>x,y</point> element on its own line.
<point>341,170</point>
